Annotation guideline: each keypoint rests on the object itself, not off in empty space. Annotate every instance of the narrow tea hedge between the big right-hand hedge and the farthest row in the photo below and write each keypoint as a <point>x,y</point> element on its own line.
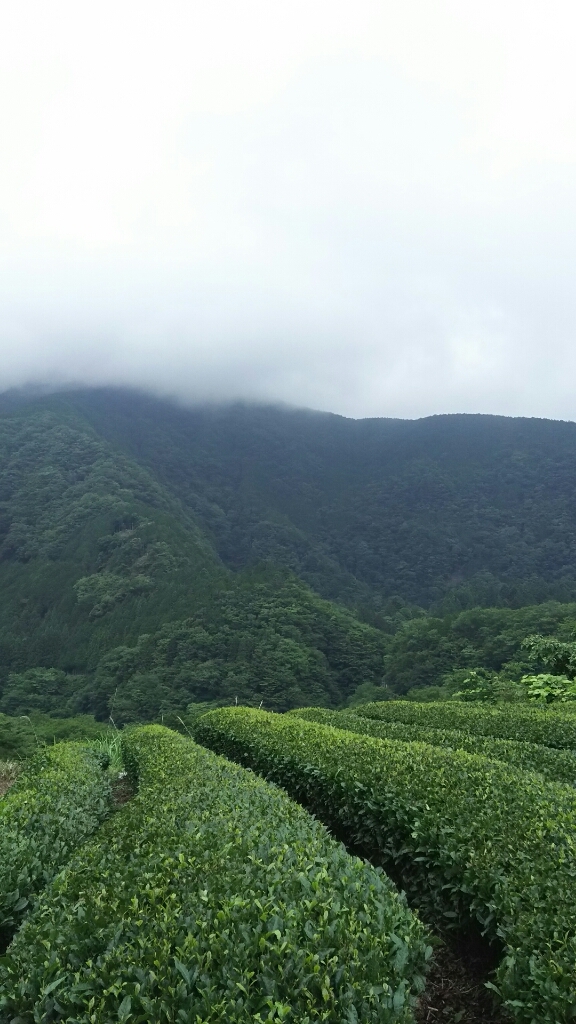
<point>560,766</point>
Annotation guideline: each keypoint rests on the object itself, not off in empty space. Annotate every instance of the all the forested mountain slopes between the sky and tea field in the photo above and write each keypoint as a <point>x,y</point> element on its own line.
<point>153,557</point>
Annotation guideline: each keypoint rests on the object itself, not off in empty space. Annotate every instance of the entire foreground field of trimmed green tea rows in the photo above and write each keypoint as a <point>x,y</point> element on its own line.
<point>215,895</point>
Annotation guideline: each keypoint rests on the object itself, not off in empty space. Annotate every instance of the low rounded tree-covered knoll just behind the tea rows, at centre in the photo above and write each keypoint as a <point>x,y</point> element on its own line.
<point>268,639</point>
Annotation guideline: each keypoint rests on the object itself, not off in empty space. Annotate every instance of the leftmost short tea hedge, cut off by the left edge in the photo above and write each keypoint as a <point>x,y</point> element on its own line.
<point>57,802</point>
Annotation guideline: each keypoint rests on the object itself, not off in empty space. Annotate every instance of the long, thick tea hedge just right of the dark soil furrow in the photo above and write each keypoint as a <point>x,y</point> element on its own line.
<point>471,839</point>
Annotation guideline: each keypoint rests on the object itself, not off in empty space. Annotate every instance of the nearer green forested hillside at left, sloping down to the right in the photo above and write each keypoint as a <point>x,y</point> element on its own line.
<point>113,599</point>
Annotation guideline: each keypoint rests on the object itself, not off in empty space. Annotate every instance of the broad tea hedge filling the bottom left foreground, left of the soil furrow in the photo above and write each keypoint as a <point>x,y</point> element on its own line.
<point>214,898</point>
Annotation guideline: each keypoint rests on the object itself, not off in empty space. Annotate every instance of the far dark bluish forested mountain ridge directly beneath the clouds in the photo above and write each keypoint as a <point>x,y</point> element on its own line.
<point>449,511</point>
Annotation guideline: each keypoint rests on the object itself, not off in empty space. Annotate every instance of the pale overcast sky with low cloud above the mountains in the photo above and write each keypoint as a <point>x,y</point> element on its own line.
<point>362,207</point>
